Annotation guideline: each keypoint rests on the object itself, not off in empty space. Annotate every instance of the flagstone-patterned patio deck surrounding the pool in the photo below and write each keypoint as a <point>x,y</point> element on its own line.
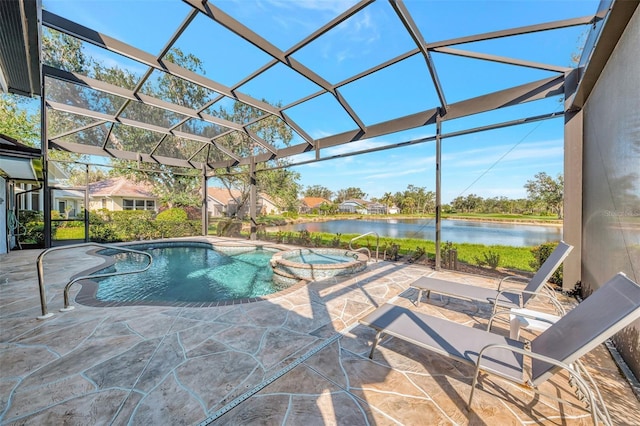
<point>300,357</point>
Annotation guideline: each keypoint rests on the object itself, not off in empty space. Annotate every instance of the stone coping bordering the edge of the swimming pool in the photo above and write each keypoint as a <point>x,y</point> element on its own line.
<point>88,288</point>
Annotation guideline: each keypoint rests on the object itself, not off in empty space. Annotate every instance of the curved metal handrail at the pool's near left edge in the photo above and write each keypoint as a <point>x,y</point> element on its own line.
<point>40,266</point>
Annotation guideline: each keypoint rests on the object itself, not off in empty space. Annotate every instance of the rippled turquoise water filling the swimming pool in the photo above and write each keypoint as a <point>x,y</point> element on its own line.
<point>189,274</point>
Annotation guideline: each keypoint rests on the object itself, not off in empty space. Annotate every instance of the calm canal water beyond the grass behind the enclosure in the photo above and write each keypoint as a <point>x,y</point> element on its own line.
<point>456,231</point>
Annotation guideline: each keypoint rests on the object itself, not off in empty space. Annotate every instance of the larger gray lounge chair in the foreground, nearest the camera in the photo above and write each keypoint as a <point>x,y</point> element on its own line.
<point>609,309</point>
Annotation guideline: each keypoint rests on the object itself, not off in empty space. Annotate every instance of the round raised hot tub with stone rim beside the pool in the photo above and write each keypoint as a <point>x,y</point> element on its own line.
<point>315,264</point>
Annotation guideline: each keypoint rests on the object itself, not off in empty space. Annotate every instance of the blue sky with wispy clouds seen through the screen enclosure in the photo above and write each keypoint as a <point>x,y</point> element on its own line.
<point>490,163</point>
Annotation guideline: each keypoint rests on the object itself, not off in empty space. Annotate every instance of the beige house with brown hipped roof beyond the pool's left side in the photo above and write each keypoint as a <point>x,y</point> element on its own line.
<point>121,194</point>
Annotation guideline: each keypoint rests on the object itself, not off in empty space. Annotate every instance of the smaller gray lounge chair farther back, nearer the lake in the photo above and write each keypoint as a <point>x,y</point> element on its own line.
<point>506,298</point>
